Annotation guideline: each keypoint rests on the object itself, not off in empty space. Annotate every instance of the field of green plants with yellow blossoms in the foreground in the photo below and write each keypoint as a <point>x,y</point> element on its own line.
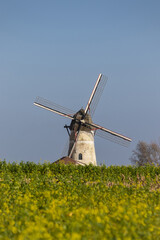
<point>49,201</point>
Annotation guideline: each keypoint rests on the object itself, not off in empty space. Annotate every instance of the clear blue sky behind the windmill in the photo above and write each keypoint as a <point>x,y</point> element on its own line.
<point>56,49</point>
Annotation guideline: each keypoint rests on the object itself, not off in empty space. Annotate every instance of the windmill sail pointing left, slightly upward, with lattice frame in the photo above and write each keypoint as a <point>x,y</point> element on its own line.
<point>53,107</point>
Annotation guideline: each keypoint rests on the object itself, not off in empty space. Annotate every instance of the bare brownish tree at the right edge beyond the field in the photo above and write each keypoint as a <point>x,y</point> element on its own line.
<point>146,154</point>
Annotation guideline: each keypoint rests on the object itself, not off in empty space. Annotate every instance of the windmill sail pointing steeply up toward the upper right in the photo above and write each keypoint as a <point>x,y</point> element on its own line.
<point>96,94</point>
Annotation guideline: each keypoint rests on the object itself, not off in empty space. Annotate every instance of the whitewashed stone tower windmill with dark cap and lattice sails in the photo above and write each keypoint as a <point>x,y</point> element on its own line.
<point>82,130</point>
